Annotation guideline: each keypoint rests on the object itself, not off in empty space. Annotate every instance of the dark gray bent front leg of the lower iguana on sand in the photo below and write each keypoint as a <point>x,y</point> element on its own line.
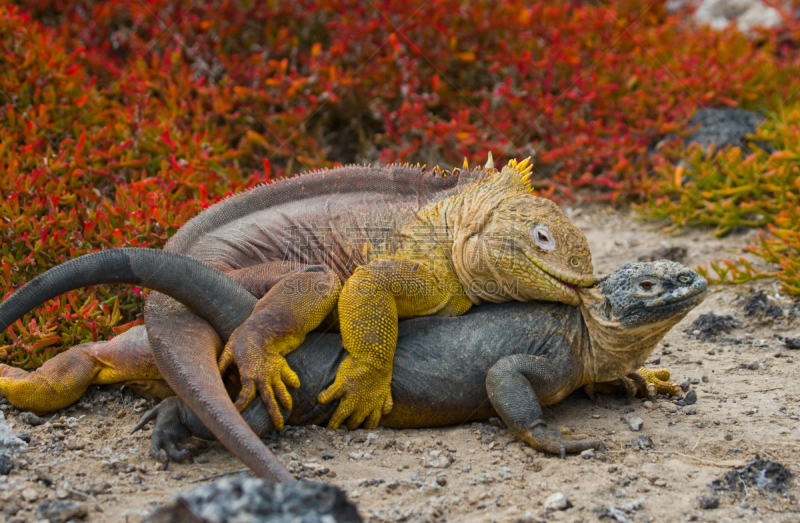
<point>514,385</point>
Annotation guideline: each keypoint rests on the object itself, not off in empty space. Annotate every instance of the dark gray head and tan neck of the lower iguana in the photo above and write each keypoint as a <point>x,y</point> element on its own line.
<point>629,312</point>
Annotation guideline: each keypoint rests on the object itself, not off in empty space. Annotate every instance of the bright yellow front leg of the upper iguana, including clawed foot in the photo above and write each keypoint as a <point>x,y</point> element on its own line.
<point>373,299</point>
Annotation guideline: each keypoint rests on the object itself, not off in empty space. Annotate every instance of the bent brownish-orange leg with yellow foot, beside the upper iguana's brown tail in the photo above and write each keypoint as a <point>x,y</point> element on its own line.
<point>291,308</point>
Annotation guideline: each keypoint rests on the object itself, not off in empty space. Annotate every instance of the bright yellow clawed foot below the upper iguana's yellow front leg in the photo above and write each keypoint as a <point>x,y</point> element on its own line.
<point>365,395</point>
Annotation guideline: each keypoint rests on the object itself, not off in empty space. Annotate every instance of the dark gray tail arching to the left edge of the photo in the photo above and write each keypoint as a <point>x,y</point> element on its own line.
<point>202,288</point>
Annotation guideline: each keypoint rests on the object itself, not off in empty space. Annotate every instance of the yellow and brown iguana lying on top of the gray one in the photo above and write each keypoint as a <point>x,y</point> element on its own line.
<point>485,238</point>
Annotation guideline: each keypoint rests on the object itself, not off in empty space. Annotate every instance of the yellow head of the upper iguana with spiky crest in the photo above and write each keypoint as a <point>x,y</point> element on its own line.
<point>510,244</point>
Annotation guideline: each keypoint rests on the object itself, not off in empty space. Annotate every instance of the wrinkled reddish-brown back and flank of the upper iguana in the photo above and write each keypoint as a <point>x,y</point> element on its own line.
<point>296,218</point>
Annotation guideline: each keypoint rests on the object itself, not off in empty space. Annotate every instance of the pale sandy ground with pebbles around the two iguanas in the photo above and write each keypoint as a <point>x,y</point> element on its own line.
<point>477,472</point>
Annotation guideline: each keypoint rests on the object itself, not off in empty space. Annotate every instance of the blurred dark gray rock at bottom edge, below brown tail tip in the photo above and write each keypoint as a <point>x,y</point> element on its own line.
<point>242,498</point>
